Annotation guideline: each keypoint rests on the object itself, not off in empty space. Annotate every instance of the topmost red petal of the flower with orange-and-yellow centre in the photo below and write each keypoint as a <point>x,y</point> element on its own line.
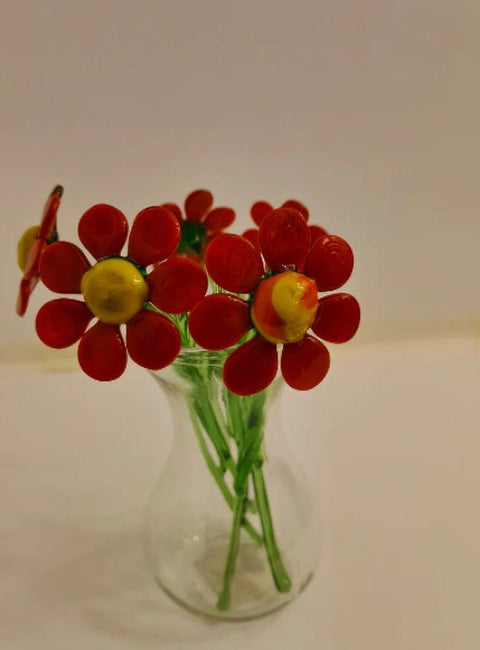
<point>284,238</point>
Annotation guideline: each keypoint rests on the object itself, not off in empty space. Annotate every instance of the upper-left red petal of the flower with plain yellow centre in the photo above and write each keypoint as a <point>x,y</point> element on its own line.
<point>62,267</point>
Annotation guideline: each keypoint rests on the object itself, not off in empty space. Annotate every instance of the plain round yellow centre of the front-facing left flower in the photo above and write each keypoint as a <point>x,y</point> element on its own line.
<point>114,290</point>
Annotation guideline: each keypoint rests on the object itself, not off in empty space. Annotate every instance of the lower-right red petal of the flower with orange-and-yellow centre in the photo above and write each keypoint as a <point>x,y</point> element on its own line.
<point>305,364</point>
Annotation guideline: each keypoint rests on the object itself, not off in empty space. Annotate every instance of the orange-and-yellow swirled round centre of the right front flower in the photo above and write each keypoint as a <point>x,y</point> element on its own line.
<point>284,307</point>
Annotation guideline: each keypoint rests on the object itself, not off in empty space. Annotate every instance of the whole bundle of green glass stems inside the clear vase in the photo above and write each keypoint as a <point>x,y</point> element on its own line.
<point>230,430</point>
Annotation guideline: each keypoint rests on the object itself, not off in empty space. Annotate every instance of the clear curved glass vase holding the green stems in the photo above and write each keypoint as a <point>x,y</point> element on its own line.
<point>232,530</point>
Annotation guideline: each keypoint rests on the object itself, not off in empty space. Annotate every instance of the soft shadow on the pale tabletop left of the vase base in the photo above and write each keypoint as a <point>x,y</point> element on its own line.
<point>110,591</point>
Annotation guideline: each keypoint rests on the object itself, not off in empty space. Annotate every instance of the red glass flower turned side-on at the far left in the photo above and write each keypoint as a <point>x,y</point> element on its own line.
<point>31,246</point>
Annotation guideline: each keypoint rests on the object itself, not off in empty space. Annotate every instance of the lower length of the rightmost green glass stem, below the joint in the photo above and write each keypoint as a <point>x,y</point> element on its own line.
<point>279,573</point>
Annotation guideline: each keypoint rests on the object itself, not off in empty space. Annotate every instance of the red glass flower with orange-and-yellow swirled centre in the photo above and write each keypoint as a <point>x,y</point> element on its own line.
<point>282,304</point>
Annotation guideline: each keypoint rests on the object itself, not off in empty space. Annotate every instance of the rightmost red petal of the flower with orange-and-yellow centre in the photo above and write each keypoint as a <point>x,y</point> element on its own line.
<point>338,318</point>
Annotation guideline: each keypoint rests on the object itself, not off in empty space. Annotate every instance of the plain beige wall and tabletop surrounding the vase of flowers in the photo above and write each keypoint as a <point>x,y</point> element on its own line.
<point>369,113</point>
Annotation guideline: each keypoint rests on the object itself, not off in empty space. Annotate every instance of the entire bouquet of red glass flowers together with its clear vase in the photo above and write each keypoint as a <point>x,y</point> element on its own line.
<point>208,313</point>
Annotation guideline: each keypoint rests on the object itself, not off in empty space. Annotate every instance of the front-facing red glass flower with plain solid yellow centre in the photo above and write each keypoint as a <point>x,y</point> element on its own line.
<point>118,290</point>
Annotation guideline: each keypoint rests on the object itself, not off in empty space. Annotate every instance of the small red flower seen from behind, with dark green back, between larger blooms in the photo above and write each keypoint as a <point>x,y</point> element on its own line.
<point>201,222</point>
